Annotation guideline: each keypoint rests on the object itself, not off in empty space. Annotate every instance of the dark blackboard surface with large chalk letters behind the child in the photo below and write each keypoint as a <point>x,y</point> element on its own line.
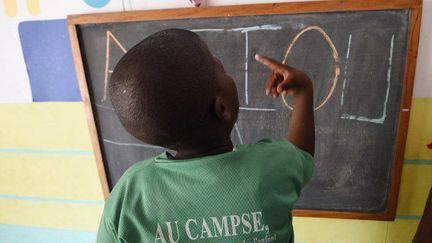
<point>357,60</point>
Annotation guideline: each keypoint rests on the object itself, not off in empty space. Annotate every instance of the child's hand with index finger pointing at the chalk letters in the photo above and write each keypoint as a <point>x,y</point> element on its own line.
<point>283,79</point>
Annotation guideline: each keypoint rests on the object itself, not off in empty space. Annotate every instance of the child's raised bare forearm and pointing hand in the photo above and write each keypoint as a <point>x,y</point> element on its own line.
<point>284,80</point>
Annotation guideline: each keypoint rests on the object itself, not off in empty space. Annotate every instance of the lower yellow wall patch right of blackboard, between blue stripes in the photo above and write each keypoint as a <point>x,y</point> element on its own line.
<point>415,184</point>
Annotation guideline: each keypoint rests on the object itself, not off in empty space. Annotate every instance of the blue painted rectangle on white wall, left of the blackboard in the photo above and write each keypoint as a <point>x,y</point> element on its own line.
<point>48,57</point>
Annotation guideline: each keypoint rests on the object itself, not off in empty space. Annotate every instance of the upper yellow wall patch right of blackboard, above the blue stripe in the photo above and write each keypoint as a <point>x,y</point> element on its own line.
<point>420,130</point>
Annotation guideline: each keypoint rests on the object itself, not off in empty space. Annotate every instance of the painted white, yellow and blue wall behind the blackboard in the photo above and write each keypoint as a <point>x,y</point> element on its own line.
<point>49,187</point>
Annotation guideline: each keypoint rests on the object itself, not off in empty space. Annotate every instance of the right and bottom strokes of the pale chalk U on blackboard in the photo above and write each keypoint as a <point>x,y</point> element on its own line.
<point>381,119</point>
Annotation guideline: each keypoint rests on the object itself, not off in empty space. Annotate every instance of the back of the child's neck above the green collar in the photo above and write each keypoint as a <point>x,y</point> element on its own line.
<point>208,149</point>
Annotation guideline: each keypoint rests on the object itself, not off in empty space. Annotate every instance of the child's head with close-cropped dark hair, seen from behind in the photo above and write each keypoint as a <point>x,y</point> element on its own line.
<point>169,90</point>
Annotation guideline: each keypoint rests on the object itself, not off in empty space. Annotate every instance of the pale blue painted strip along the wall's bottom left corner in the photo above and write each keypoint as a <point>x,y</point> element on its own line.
<point>28,234</point>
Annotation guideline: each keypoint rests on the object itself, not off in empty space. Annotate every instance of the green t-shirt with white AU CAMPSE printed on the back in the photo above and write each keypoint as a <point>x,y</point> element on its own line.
<point>246,196</point>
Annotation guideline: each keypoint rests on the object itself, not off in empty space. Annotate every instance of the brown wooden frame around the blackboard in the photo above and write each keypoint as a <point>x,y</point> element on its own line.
<point>415,7</point>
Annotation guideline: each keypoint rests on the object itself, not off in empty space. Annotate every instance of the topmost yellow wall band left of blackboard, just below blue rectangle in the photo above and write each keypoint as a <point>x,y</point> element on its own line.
<point>46,126</point>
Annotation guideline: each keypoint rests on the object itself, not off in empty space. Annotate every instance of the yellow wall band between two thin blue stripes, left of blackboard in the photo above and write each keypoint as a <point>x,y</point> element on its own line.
<point>50,176</point>
